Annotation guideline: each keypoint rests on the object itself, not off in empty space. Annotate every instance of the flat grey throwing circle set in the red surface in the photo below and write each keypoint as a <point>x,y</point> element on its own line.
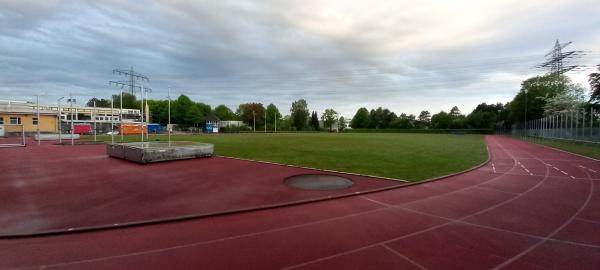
<point>318,182</point>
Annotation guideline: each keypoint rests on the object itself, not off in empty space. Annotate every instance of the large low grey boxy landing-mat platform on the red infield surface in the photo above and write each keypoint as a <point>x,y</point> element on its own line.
<point>148,152</point>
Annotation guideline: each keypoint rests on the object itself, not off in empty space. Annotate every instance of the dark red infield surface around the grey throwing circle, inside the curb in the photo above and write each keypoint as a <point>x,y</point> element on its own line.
<point>53,189</point>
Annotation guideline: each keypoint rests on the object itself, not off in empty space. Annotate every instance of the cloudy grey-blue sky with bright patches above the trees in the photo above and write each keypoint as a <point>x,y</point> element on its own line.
<point>407,56</point>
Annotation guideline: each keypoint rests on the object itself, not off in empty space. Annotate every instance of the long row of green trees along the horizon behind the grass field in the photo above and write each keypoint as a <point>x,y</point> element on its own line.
<point>538,96</point>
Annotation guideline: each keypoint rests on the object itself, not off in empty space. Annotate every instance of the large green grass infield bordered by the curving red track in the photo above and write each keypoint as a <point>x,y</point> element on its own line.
<point>411,157</point>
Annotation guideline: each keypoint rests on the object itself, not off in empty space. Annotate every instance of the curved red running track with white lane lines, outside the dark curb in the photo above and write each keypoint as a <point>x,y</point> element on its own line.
<point>529,208</point>
